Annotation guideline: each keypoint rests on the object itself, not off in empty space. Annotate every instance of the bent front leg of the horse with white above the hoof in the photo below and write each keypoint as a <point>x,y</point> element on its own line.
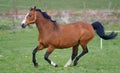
<point>48,52</point>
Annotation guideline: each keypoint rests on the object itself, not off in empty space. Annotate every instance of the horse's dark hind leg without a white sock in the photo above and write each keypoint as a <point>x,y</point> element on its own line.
<point>85,50</point>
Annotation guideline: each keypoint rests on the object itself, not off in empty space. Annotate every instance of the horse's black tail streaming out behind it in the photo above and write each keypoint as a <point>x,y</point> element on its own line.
<point>100,31</point>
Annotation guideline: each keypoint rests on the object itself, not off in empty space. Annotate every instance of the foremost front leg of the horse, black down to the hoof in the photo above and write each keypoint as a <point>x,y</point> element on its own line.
<point>40,47</point>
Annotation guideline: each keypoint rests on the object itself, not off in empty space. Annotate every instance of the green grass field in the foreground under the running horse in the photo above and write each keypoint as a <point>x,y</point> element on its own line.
<point>16,50</point>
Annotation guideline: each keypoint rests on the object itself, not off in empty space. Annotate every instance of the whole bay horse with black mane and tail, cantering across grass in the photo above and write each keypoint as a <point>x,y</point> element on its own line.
<point>52,35</point>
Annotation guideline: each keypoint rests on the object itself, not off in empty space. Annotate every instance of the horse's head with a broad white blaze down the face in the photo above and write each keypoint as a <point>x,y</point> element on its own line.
<point>30,17</point>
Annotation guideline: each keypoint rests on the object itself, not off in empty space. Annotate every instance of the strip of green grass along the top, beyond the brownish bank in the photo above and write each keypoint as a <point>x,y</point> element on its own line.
<point>6,5</point>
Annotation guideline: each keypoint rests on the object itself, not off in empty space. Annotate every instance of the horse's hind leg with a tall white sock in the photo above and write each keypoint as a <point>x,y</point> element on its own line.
<point>74,54</point>
